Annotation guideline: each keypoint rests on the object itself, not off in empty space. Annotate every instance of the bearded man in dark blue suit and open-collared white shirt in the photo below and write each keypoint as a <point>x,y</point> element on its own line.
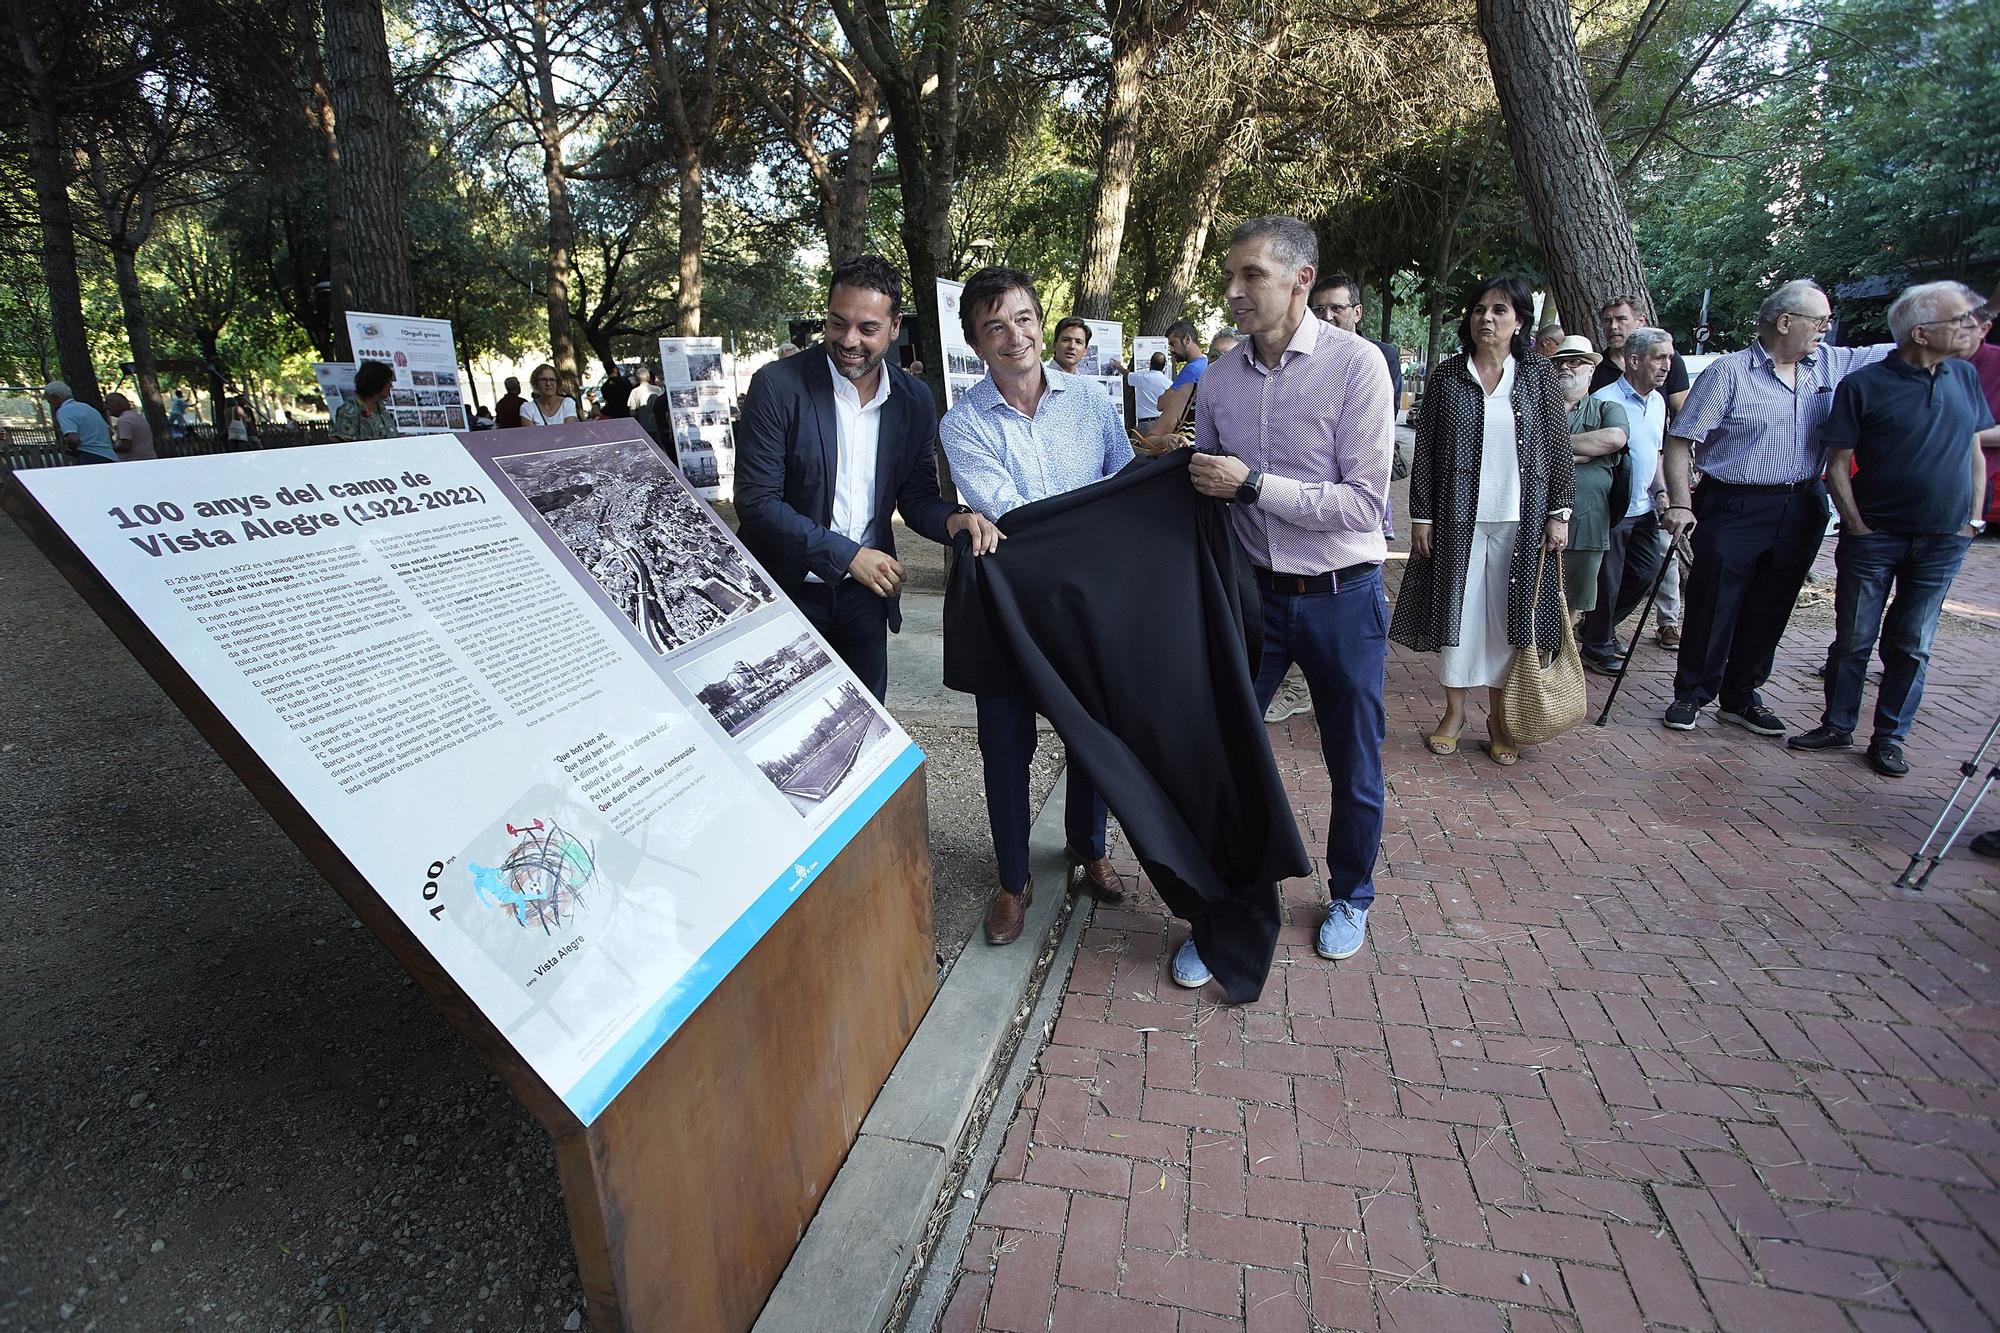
<point>833,443</point>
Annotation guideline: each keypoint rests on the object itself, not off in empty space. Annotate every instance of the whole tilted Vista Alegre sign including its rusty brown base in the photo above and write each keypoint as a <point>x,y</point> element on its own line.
<point>601,790</point>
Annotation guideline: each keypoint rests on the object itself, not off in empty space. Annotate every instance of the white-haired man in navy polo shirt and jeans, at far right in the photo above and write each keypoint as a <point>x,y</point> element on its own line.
<point>1915,423</point>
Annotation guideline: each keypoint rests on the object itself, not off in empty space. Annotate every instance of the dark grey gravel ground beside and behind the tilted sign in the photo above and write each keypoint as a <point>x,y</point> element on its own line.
<point>223,1104</point>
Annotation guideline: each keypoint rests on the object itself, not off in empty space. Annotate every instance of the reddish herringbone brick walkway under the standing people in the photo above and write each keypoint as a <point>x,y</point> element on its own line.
<point>1639,1040</point>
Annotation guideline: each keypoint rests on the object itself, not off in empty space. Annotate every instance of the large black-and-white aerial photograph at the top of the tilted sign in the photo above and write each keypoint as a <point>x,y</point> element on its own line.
<point>659,553</point>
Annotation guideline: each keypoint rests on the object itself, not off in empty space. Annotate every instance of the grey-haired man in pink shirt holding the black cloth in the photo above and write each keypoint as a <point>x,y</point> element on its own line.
<point>1297,425</point>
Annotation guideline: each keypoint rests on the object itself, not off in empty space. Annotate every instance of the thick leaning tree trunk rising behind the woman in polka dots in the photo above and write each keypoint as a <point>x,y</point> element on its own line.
<point>1559,155</point>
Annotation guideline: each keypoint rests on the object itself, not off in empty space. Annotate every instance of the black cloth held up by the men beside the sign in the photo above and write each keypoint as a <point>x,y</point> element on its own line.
<point>1129,615</point>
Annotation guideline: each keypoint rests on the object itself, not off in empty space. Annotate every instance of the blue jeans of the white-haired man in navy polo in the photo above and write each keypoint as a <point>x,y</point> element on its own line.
<point>1921,571</point>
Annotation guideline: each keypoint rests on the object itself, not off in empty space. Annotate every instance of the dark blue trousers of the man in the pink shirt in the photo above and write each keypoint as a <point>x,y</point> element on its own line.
<point>1341,643</point>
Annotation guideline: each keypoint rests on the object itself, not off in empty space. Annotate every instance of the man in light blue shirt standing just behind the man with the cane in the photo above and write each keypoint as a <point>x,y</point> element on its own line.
<point>1633,557</point>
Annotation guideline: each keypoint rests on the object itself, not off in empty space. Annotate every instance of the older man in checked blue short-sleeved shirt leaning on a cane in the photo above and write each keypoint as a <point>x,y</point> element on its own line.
<point>1753,427</point>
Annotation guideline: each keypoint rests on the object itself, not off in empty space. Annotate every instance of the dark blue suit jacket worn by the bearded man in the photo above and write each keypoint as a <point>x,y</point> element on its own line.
<point>789,463</point>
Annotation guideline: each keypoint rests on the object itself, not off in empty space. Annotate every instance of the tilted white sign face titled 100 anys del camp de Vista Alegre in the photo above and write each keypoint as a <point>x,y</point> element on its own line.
<point>533,692</point>
